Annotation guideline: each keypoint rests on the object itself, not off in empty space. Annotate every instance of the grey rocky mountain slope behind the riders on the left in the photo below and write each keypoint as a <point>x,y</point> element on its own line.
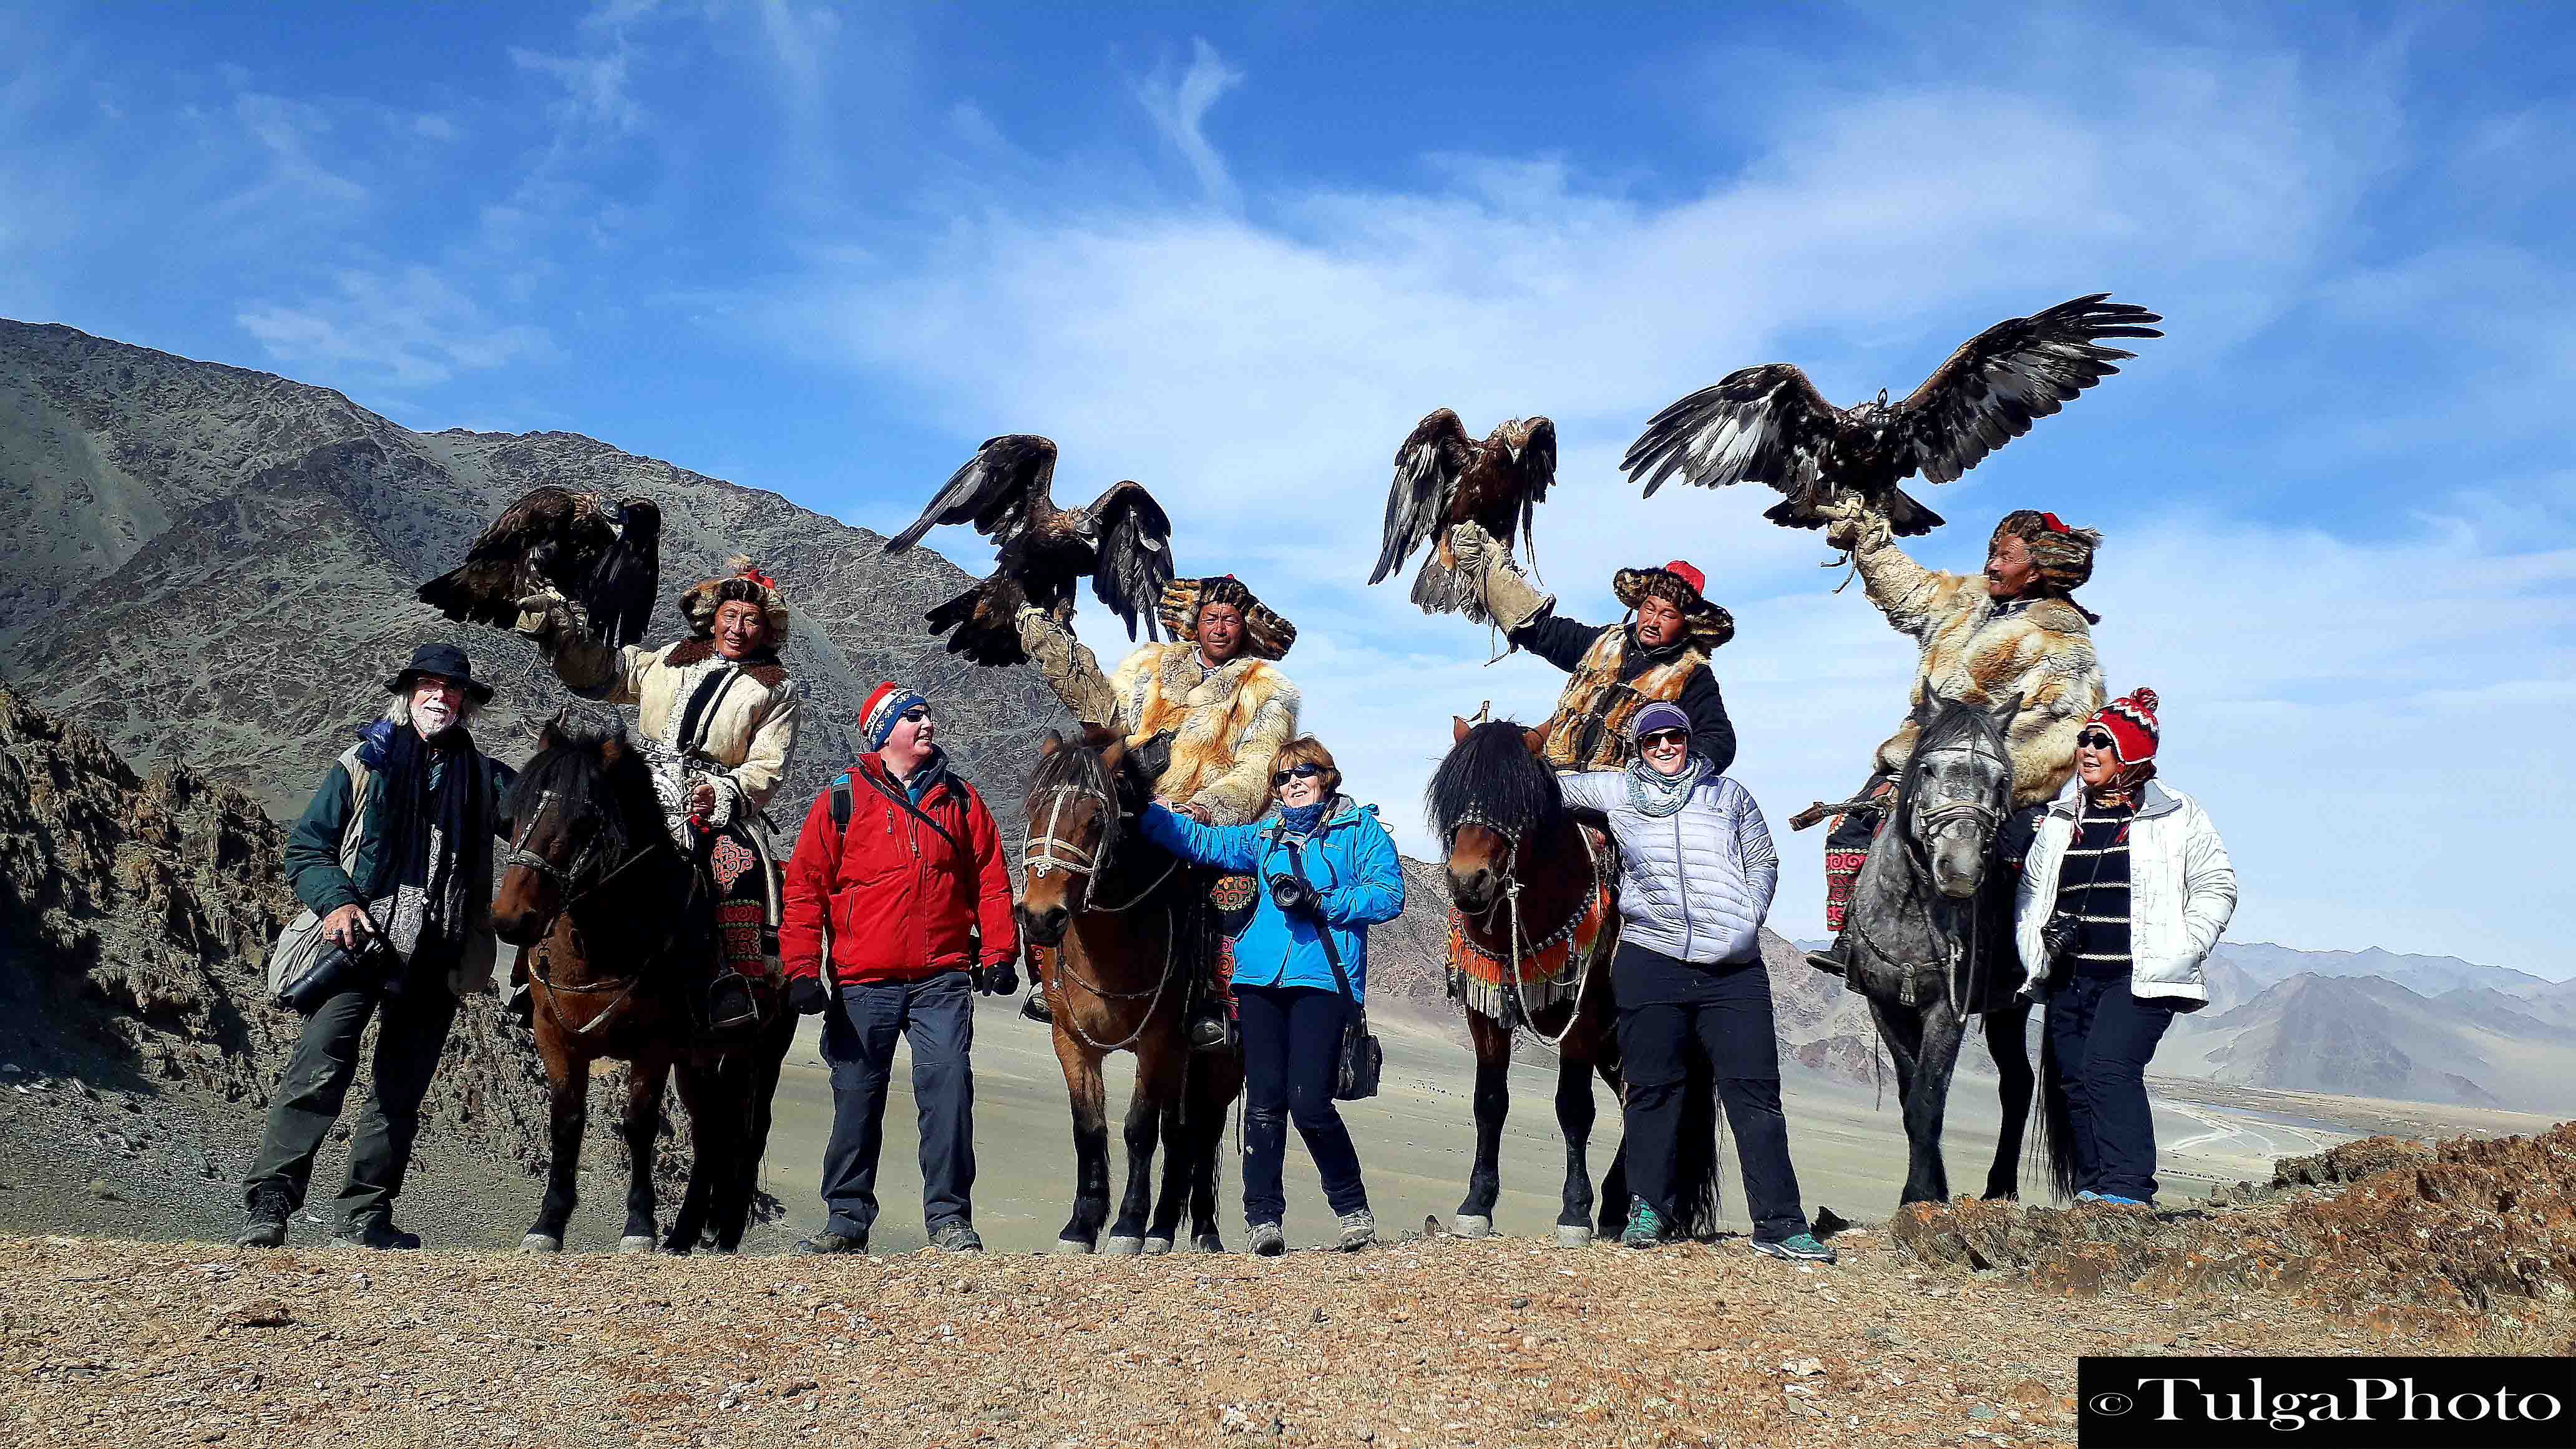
<point>218,566</point>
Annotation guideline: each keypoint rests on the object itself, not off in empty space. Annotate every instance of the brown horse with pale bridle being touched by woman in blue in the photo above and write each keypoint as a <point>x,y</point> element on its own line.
<point>1112,924</point>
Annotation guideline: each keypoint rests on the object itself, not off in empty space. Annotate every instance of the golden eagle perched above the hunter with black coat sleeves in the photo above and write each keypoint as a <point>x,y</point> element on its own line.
<point>1444,478</point>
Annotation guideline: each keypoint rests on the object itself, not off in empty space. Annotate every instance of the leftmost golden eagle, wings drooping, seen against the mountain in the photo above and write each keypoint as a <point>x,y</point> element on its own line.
<point>601,553</point>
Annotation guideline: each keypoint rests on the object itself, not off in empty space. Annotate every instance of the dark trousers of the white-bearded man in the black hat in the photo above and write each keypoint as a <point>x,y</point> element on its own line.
<point>316,1084</point>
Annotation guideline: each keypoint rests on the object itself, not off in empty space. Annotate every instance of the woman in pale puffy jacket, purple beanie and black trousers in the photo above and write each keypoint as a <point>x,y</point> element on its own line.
<point>1696,880</point>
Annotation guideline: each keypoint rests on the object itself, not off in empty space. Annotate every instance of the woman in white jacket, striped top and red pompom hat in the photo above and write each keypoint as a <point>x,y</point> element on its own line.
<point>2124,893</point>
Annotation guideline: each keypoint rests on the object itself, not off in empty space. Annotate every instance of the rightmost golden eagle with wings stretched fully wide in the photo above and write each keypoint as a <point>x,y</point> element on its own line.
<point>1768,424</point>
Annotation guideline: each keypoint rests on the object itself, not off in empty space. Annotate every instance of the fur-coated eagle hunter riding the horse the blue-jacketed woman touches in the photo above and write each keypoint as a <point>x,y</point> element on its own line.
<point>1212,703</point>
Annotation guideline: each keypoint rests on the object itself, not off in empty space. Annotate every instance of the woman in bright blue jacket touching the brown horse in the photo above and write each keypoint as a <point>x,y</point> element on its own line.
<point>1328,875</point>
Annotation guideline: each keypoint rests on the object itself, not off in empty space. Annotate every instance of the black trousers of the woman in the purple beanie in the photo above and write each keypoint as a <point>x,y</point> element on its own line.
<point>1727,1020</point>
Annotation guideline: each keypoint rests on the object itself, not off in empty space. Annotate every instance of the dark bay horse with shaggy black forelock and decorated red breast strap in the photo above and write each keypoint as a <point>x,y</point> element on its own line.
<point>1526,883</point>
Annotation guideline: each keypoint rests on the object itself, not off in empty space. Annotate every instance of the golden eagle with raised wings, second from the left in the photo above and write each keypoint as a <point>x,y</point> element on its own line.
<point>1124,543</point>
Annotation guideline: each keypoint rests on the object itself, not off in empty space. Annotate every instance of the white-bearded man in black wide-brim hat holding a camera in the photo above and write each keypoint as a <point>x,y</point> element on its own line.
<point>393,862</point>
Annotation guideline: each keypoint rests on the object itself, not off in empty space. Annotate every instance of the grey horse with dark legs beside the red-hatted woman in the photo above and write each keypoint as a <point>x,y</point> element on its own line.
<point>1931,942</point>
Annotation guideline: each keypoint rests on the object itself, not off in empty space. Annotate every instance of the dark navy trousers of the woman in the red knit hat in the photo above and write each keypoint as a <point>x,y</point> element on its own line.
<point>2103,1040</point>
